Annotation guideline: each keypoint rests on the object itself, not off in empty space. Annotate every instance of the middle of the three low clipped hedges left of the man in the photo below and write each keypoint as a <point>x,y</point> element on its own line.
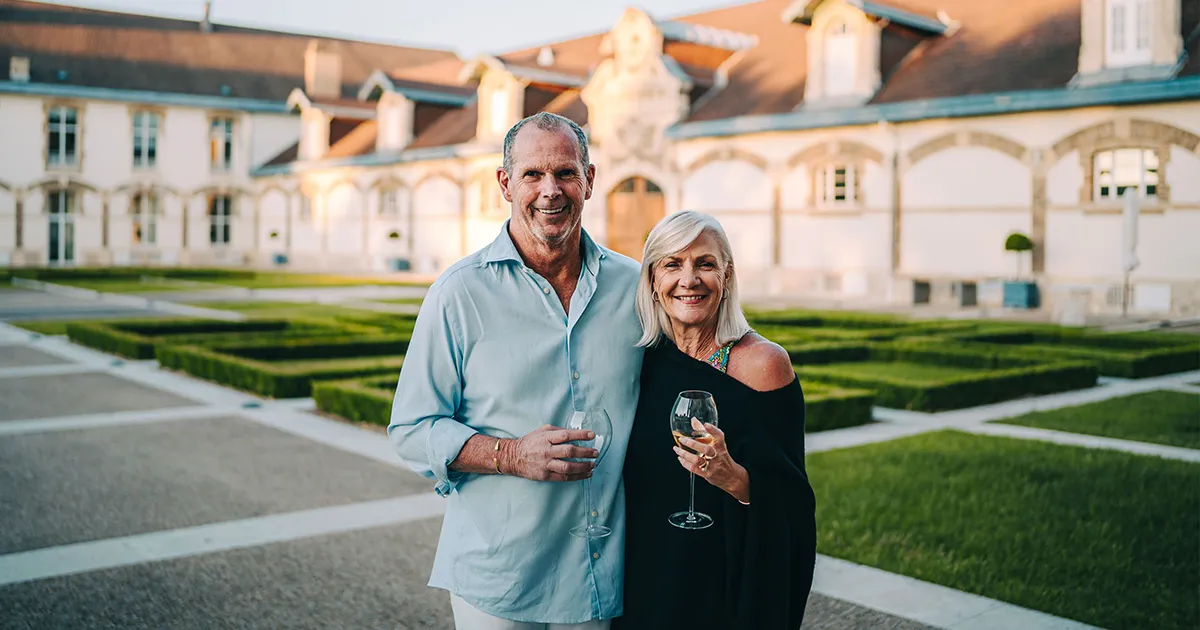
<point>224,365</point>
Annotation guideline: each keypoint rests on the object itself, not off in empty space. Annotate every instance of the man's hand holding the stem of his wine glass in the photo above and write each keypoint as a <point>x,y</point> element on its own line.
<point>542,455</point>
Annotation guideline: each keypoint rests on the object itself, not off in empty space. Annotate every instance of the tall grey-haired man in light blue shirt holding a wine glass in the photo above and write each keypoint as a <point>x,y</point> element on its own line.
<point>508,344</point>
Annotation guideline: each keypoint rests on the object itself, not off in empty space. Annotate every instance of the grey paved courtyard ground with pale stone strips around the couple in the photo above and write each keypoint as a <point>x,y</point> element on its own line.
<point>148,499</point>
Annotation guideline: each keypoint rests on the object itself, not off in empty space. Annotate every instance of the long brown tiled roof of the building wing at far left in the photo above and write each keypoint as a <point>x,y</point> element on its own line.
<point>107,50</point>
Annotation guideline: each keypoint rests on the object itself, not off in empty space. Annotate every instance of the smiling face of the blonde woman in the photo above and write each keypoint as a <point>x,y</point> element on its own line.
<point>691,284</point>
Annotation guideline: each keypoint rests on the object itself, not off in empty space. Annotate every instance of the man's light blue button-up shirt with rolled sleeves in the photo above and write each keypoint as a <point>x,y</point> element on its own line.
<point>495,353</point>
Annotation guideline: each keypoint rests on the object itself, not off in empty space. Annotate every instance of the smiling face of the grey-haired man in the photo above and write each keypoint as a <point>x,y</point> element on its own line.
<point>549,184</point>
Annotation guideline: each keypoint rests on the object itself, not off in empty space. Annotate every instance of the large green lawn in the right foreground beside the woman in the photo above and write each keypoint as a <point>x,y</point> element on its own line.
<point>1101,537</point>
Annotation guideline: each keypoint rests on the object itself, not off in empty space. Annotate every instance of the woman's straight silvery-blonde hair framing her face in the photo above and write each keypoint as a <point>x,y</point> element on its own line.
<point>673,236</point>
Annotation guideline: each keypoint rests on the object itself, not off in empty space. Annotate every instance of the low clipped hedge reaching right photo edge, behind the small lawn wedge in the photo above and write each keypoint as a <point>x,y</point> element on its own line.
<point>1117,355</point>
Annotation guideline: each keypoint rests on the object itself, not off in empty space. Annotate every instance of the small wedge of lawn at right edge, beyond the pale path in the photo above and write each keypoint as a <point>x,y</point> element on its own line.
<point>1169,418</point>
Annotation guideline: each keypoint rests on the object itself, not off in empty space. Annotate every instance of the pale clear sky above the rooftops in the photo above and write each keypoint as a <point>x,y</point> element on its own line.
<point>476,27</point>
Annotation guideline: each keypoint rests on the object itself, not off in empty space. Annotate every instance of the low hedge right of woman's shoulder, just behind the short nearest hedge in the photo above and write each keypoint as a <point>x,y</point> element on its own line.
<point>1006,377</point>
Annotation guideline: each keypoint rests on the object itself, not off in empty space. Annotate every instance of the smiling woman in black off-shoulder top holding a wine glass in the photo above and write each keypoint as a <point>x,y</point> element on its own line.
<point>753,568</point>
